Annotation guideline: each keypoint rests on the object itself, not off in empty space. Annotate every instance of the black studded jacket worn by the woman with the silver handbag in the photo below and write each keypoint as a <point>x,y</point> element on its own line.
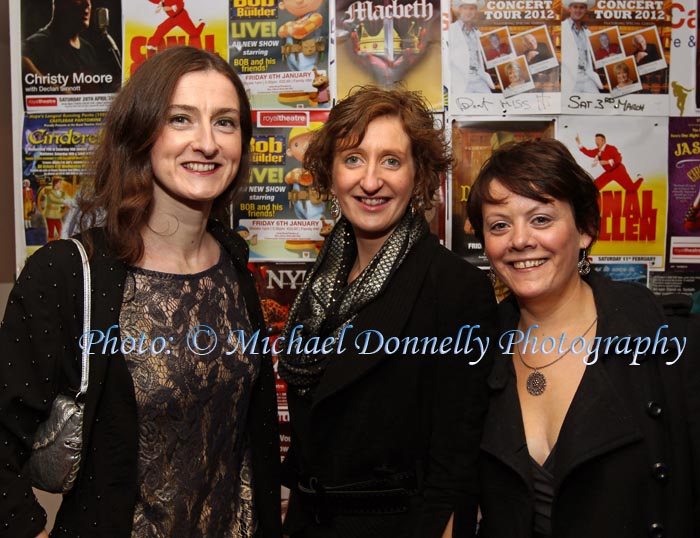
<point>39,339</point>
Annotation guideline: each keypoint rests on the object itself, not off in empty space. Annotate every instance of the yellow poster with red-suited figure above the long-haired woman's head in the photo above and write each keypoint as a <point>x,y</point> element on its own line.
<point>154,25</point>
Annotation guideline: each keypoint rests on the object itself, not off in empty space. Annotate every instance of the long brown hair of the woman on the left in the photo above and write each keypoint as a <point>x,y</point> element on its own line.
<point>120,194</point>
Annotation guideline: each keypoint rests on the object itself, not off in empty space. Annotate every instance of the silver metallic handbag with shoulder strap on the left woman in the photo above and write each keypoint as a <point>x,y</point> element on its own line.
<point>58,442</point>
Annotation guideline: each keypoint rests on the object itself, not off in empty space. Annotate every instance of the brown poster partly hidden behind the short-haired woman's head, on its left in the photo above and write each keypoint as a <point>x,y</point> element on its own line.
<point>472,144</point>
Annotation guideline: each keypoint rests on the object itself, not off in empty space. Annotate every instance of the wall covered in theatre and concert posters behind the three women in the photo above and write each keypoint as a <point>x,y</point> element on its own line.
<point>492,71</point>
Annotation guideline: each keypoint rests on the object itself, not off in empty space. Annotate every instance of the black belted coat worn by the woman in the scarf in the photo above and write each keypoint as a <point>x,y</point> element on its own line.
<point>380,414</point>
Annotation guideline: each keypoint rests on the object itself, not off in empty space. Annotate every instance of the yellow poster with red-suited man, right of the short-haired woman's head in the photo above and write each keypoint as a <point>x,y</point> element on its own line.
<point>627,161</point>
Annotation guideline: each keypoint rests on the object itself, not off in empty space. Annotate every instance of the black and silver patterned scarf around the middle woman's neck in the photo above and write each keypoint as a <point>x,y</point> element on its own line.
<point>326,303</point>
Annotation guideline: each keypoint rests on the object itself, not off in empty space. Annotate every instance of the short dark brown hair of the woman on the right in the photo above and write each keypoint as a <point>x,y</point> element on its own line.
<point>541,170</point>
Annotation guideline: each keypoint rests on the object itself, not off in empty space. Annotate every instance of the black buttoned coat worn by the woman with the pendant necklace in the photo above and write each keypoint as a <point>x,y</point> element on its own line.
<point>627,462</point>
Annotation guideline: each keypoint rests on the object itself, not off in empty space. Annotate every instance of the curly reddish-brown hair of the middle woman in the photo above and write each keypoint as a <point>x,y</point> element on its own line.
<point>347,125</point>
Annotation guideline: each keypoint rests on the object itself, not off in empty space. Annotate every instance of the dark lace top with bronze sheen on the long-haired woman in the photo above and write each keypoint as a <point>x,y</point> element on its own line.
<point>192,397</point>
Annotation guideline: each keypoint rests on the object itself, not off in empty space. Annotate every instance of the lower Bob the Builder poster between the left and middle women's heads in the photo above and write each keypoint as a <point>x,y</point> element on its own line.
<point>281,215</point>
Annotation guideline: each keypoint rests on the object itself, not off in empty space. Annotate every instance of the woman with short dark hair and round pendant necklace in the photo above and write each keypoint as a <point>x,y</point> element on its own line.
<point>582,438</point>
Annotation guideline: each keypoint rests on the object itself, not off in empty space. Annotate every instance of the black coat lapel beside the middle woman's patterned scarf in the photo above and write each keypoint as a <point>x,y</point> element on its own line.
<point>387,314</point>
